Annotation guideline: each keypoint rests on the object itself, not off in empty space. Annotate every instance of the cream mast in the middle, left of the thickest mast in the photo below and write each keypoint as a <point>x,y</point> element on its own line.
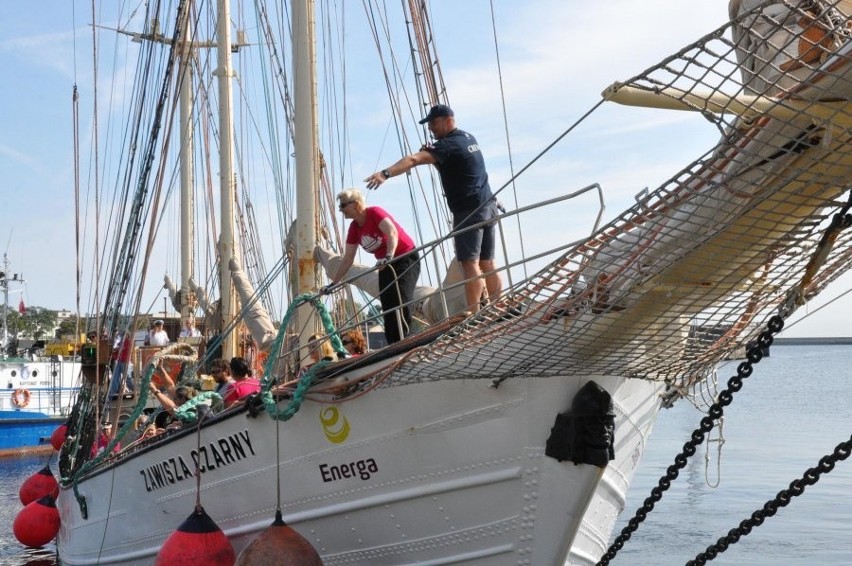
<point>227,243</point>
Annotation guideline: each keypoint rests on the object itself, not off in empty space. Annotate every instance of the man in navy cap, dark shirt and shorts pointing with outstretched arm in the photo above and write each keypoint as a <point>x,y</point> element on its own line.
<point>458,159</point>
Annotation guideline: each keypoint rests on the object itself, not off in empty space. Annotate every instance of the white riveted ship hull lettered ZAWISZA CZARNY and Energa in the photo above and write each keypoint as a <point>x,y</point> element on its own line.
<point>435,473</point>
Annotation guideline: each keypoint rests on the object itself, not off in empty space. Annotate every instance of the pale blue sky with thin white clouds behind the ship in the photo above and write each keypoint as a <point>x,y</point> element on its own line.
<point>556,57</point>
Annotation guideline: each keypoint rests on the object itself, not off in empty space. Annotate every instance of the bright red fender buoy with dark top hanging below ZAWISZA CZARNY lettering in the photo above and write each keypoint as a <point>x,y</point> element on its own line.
<point>198,540</point>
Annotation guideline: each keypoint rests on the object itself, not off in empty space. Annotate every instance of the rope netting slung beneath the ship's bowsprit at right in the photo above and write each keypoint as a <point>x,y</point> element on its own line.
<point>695,268</point>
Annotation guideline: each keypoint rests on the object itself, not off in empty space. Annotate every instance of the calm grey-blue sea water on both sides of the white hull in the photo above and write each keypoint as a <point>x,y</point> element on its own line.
<point>794,409</point>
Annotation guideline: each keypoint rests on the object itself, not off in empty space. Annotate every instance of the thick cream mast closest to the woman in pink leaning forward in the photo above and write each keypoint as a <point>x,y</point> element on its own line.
<point>307,162</point>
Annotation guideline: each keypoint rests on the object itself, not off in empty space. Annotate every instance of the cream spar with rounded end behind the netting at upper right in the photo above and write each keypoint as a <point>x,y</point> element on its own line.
<point>747,106</point>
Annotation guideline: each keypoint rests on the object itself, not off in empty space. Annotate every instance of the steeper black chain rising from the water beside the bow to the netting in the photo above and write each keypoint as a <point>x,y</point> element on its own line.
<point>754,353</point>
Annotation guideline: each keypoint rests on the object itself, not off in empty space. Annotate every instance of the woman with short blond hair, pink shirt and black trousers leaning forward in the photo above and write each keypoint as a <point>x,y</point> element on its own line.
<point>377,232</point>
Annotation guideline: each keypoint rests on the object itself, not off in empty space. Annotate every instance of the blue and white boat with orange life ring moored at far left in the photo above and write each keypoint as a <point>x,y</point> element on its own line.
<point>39,388</point>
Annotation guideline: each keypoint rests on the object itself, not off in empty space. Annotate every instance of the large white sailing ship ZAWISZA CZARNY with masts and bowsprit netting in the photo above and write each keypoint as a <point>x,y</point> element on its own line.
<point>509,435</point>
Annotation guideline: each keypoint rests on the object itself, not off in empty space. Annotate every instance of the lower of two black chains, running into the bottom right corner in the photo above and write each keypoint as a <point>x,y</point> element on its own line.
<point>797,487</point>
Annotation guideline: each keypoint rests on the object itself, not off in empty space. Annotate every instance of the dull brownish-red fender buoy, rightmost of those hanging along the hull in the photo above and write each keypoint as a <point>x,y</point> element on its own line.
<point>280,545</point>
